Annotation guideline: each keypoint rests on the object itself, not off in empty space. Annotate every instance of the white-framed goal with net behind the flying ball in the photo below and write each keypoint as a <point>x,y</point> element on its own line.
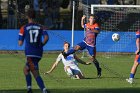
<point>121,19</point>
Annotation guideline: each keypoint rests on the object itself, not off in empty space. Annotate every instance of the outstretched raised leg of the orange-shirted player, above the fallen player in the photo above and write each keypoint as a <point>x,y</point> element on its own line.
<point>79,46</point>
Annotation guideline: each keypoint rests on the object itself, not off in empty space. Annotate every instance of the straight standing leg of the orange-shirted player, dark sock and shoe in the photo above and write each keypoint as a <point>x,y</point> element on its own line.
<point>92,52</point>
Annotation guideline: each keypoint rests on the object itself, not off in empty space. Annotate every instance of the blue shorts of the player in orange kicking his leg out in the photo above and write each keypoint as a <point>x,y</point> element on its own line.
<point>91,50</point>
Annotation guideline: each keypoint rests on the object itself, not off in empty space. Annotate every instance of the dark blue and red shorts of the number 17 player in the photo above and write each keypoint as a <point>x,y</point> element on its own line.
<point>32,63</point>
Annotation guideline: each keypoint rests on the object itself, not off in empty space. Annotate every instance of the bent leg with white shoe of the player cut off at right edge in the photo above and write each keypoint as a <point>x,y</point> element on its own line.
<point>134,69</point>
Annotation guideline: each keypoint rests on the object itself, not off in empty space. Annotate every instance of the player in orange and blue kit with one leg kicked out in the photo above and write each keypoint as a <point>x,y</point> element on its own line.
<point>89,42</point>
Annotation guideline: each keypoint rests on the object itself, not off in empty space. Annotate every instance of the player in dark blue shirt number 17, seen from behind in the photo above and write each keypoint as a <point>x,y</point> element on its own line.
<point>32,33</point>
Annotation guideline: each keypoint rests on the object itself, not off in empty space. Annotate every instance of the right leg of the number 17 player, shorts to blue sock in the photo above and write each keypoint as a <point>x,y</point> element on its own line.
<point>33,63</point>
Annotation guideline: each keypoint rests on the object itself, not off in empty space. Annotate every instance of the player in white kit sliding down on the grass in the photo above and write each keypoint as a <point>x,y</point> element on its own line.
<point>70,65</point>
